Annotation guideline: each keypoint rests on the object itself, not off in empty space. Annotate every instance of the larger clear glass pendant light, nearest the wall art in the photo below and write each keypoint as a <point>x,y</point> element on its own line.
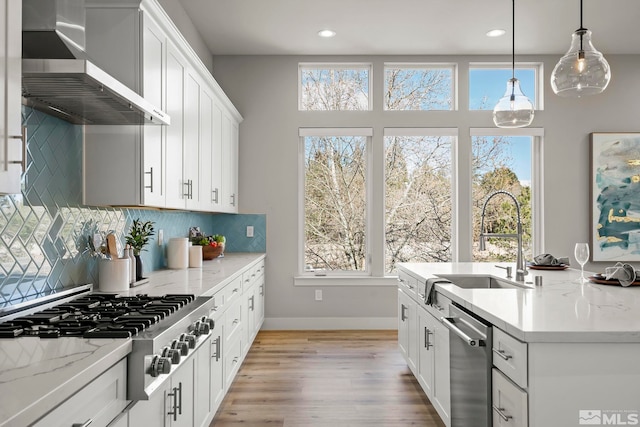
<point>582,70</point>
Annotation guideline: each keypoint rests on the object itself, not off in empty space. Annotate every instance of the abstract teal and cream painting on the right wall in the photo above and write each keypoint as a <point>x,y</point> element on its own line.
<point>615,196</point>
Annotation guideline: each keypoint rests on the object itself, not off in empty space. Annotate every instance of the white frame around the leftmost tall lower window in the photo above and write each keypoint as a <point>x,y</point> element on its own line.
<point>332,132</point>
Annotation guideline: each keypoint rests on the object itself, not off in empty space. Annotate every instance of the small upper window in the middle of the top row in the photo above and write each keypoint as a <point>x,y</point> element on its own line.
<point>419,87</point>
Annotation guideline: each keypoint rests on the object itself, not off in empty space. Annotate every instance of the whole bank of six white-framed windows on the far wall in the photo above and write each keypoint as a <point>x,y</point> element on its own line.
<point>408,192</point>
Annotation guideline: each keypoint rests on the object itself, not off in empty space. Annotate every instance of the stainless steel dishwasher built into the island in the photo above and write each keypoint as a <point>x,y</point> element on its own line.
<point>470,358</point>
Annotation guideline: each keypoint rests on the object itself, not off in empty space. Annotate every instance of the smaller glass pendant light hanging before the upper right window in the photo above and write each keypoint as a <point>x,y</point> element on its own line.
<point>514,109</point>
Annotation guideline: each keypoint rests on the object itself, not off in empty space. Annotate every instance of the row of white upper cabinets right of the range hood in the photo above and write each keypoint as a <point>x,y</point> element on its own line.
<point>159,166</point>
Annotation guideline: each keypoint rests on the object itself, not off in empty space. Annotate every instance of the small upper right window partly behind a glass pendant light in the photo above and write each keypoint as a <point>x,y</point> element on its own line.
<point>487,84</point>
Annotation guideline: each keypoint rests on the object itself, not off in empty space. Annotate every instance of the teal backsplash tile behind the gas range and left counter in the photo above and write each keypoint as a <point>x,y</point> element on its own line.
<point>44,231</point>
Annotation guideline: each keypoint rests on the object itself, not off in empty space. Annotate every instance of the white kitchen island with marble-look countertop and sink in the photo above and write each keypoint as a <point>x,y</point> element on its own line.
<point>562,352</point>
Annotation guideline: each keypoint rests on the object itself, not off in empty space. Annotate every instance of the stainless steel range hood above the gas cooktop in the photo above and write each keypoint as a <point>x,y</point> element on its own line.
<point>59,78</point>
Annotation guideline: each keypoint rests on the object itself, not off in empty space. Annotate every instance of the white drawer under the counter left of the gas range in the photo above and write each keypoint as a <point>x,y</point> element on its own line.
<point>99,402</point>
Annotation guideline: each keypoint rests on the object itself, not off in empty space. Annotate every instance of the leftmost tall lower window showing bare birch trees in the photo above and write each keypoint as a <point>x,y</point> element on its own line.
<point>335,200</point>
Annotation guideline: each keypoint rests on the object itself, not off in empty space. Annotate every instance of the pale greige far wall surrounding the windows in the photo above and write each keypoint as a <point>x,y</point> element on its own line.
<point>264,89</point>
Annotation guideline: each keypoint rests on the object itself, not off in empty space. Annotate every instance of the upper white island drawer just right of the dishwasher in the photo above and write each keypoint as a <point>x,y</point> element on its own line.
<point>510,356</point>
